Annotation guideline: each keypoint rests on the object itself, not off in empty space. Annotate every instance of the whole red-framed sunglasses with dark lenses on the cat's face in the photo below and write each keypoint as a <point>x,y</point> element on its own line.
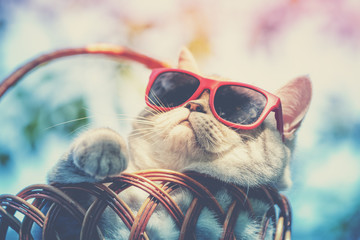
<point>237,105</point>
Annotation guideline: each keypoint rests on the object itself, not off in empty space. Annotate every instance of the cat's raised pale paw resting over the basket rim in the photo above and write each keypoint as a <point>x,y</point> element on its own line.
<point>100,153</point>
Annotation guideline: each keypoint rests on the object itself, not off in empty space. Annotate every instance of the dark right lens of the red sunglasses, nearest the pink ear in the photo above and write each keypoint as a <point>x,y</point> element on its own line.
<point>239,104</point>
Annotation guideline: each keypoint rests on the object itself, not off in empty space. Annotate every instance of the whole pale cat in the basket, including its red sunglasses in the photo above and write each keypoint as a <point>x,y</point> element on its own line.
<point>208,132</point>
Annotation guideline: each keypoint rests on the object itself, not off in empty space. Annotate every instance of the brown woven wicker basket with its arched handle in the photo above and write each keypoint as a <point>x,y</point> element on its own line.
<point>20,212</point>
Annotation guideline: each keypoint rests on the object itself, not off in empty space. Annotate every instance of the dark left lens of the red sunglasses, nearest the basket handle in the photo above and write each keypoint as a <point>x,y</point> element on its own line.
<point>171,89</point>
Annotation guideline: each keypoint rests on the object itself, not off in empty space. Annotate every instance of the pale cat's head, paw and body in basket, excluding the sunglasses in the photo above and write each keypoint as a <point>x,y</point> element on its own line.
<point>189,138</point>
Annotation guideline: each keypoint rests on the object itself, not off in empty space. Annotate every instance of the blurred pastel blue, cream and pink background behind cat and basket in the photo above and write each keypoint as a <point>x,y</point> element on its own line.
<point>265,43</point>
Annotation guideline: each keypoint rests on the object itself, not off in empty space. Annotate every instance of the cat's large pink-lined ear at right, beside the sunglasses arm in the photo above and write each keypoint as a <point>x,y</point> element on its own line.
<point>295,99</point>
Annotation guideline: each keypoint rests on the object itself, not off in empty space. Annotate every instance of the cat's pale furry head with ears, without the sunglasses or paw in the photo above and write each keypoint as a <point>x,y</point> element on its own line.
<point>190,138</point>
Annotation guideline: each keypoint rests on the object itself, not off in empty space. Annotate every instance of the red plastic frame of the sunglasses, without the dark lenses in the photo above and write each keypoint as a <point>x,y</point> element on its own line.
<point>273,102</point>
